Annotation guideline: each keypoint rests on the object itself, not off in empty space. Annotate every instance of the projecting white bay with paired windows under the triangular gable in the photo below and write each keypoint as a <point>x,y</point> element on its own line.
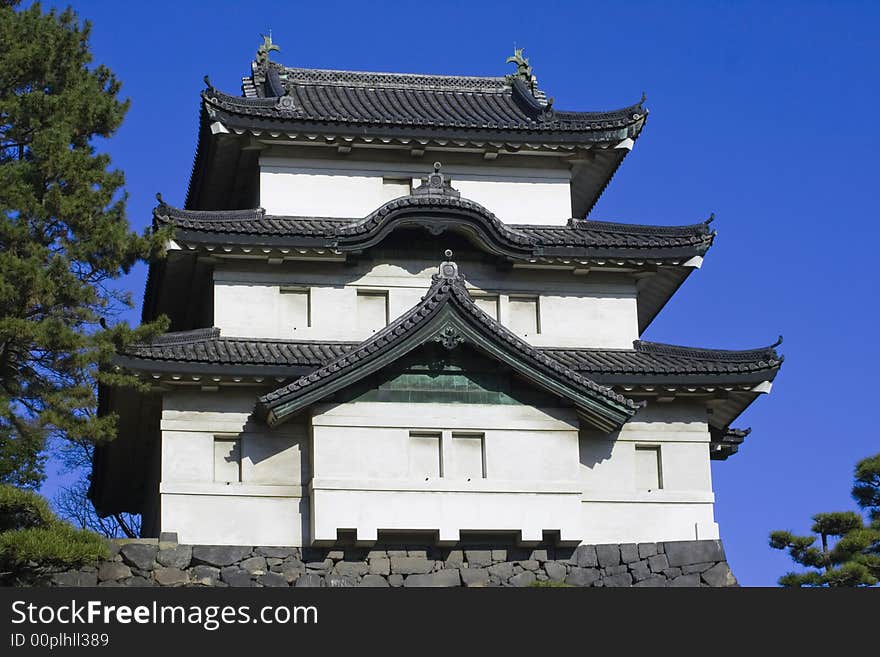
<point>363,480</point>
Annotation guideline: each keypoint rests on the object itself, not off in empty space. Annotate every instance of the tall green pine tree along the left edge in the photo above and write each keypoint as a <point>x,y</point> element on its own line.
<point>64,238</point>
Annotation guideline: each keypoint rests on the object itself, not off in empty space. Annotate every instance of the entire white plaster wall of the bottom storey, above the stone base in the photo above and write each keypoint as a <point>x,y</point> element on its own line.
<point>543,473</point>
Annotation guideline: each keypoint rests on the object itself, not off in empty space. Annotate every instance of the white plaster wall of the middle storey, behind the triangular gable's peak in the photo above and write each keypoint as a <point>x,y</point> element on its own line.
<point>575,311</point>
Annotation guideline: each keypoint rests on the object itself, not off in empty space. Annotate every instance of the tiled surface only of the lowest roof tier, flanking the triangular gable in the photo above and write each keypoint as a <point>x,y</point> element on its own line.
<point>651,360</point>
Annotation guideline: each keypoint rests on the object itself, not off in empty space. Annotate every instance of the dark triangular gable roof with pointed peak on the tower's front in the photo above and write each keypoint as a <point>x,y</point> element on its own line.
<point>447,314</point>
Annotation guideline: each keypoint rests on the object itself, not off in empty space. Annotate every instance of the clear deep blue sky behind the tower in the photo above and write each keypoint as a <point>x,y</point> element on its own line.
<point>760,112</point>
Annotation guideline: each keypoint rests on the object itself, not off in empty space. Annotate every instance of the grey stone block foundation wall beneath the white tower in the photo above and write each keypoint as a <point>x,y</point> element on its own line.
<point>149,562</point>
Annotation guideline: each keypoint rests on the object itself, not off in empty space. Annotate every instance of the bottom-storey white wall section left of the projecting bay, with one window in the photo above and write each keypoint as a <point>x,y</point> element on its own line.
<point>268,506</point>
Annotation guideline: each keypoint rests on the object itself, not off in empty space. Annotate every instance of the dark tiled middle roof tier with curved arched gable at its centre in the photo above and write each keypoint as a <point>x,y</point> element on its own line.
<point>580,238</point>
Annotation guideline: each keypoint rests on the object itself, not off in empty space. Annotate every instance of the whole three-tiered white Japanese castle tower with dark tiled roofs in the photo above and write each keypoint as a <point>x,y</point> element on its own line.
<point>367,344</point>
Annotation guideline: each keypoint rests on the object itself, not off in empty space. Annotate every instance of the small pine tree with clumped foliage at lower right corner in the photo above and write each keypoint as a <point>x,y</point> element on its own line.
<point>848,553</point>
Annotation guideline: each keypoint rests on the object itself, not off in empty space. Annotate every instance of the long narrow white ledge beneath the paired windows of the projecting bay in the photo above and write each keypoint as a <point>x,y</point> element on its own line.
<point>451,486</point>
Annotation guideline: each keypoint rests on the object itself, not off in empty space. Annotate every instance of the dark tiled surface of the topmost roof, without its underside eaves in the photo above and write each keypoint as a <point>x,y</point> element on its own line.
<point>415,104</point>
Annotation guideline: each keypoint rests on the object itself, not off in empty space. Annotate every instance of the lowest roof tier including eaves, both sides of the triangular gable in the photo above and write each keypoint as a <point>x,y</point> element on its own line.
<point>650,369</point>
